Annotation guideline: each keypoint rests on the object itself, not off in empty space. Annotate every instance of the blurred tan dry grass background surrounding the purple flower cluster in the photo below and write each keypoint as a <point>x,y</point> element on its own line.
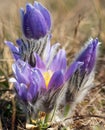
<point>73,23</point>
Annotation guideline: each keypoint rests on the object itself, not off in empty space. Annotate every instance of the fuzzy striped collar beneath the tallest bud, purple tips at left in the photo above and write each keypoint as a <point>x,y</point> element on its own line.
<point>25,49</point>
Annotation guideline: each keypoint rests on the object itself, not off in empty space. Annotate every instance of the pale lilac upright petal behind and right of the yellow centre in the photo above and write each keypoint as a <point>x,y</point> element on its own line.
<point>59,61</point>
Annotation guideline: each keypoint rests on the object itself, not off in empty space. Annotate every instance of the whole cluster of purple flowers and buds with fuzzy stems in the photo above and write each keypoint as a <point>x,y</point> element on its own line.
<point>41,70</point>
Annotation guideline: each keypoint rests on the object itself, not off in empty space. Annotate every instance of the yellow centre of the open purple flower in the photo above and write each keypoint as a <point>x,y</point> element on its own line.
<point>47,76</point>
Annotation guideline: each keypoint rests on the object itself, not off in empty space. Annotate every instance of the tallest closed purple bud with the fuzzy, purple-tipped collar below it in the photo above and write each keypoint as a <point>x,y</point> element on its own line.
<point>36,24</point>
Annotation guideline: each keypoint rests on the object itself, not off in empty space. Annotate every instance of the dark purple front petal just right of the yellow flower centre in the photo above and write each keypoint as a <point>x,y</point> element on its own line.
<point>56,80</point>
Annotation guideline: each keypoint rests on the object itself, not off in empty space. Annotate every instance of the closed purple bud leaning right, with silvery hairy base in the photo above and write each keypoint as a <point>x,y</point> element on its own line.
<point>81,80</point>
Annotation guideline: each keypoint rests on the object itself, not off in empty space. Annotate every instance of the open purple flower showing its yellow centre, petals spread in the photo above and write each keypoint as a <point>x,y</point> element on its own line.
<point>53,66</point>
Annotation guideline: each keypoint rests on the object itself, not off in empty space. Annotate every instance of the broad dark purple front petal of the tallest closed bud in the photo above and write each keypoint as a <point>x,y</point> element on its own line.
<point>34,24</point>
